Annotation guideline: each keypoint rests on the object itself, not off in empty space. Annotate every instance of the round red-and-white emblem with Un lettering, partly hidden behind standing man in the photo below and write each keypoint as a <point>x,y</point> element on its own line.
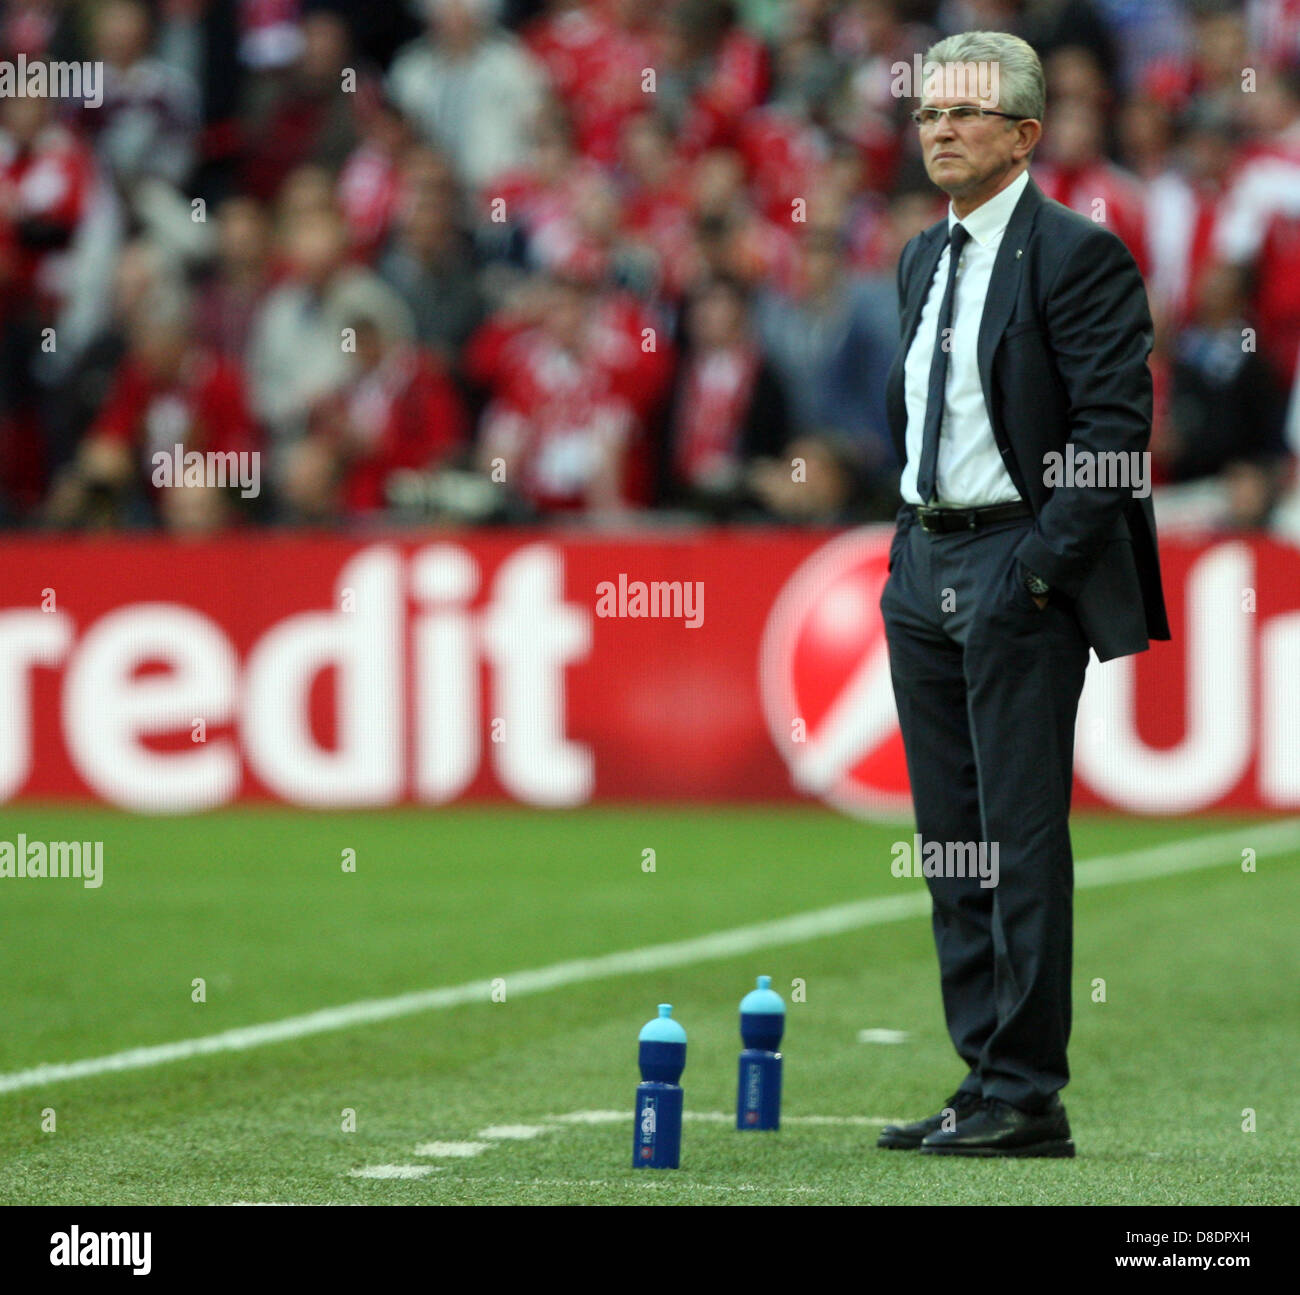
<point>1188,726</point>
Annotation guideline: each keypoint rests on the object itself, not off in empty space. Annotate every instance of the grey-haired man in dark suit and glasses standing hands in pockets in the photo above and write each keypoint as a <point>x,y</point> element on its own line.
<point>1021,405</point>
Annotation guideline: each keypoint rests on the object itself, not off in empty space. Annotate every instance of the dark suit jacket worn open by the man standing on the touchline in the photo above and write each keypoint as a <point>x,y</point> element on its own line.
<point>1063,357</point>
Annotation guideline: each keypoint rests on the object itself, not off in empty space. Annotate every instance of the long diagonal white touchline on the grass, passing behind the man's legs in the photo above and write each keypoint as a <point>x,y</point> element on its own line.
<point>1185,856</point>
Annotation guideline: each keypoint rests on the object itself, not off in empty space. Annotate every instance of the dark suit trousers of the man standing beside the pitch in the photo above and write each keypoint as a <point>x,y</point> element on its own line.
<point>987,688</point>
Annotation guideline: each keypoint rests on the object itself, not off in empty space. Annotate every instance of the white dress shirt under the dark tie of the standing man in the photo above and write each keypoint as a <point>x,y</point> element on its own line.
<point>970,467</point>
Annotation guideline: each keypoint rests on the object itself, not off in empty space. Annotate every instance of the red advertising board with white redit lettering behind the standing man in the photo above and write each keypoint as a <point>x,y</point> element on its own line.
<point>556,670</point>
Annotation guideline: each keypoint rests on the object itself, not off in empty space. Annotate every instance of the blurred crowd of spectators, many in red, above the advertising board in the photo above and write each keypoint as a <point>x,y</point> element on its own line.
<point>495,261</point>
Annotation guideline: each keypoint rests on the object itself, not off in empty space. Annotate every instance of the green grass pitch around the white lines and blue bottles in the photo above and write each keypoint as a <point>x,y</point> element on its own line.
<point>1199,1027</point>
